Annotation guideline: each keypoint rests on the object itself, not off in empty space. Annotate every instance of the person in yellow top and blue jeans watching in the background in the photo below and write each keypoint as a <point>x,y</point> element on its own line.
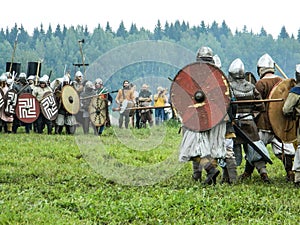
<point>160,99</point>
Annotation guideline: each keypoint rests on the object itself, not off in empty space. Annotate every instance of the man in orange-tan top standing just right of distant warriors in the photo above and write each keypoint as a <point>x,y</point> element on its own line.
<point>124,98</point>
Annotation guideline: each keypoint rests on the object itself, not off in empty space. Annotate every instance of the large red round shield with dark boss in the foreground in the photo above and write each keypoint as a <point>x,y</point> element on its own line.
<point>200,95</point>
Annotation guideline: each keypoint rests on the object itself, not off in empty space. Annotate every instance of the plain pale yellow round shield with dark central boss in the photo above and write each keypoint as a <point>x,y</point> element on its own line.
<point>70,99</point>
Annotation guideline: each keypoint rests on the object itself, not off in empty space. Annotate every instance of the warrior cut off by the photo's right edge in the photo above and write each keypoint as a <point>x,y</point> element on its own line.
<point>291,108</point>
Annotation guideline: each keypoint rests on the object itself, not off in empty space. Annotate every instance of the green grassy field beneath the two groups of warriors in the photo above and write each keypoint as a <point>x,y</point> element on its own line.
<point>60,179</point>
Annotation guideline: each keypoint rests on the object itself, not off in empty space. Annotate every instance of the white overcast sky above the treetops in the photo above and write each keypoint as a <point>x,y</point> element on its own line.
<point>255,14</point>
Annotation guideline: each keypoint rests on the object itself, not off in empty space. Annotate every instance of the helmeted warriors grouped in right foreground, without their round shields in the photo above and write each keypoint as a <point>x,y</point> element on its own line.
<point>245,131</point>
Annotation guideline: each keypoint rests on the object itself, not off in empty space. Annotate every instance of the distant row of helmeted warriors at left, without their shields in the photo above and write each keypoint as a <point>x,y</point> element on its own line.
<point>42,87</point>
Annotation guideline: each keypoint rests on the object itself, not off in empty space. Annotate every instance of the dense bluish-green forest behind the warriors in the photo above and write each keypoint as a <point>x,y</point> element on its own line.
<point>139,53</point>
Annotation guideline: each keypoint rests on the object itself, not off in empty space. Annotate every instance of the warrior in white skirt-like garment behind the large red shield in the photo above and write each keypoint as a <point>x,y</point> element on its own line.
<point>204,147</point>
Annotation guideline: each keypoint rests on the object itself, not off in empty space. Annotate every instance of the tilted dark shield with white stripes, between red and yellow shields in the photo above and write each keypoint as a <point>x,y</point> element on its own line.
<point>49,106</point>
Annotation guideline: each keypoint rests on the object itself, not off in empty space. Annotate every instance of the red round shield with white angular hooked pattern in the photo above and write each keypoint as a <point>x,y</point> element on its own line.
<point>27,108</point>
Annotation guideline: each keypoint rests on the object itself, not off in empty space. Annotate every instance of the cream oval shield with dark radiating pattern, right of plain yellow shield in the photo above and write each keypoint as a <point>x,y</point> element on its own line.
<point>97,110</point>
